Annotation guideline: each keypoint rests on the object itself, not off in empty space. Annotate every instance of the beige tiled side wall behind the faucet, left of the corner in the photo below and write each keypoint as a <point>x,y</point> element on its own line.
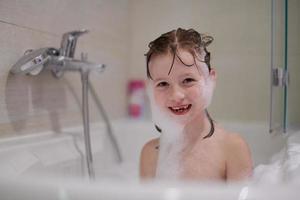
<point>33,104</point>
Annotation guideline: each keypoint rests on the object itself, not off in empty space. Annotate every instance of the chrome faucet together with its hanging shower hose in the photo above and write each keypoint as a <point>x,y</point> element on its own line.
<point>59,61</point>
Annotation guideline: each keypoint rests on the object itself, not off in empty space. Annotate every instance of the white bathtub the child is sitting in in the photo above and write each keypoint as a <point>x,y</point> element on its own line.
<point>52,166</point>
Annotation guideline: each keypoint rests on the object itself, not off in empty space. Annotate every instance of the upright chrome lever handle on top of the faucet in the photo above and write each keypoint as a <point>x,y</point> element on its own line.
<point>68,43</point>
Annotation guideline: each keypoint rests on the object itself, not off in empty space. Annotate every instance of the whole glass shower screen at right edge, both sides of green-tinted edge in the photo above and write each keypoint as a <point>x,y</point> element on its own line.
<point>285,66</point>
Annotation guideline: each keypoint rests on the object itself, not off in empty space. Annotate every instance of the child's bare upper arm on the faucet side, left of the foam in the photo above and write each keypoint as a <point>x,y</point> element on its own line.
<point>148,159</point>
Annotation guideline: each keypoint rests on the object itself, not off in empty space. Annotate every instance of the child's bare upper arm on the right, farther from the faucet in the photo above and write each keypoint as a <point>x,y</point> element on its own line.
<point>238,162</point>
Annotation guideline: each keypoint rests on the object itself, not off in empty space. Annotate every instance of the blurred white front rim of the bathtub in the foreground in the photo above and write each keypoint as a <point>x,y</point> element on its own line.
<point>155,189</point>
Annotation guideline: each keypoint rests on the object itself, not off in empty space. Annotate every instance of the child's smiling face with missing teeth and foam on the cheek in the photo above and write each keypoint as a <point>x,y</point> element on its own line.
<point>180,94</point>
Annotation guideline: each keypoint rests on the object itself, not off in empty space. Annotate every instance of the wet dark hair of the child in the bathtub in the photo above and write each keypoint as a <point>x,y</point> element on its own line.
<point>187,39</point>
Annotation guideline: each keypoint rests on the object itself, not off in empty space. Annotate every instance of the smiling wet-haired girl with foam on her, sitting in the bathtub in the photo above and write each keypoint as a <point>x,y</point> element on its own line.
<point>180,86</point>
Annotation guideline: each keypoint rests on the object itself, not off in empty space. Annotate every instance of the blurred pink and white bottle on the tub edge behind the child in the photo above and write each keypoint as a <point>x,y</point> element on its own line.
<point>136,90</point>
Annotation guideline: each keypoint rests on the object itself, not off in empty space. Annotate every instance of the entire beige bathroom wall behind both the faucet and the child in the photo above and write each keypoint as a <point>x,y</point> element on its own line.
<point>119,34</point>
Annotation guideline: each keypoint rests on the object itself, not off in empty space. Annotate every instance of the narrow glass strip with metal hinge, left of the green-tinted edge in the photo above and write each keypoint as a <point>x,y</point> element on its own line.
<point>277,99</point>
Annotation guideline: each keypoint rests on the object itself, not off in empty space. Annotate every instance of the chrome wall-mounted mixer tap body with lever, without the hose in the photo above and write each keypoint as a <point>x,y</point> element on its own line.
<point>57,60</point>
